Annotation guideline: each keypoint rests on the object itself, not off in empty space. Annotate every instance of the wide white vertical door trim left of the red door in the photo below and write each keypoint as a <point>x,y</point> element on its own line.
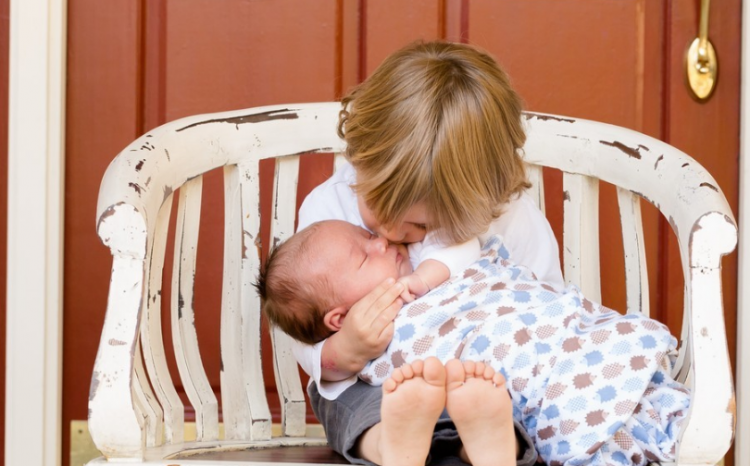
<point>33,408</point>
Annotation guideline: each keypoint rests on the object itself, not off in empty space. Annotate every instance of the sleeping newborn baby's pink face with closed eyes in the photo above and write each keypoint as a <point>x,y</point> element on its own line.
<point>355,261</point>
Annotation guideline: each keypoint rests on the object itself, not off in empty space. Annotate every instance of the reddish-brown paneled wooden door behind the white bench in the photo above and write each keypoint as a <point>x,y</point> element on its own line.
<point>135,65</point>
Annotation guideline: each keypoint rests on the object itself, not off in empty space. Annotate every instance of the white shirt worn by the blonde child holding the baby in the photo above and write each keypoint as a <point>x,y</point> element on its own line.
<point>526,233</point>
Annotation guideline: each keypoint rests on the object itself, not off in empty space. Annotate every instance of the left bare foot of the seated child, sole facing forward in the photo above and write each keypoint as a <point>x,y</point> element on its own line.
<point>413,399</point>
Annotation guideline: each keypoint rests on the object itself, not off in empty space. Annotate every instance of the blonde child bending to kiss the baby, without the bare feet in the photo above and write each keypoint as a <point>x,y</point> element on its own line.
<point>434,142</point>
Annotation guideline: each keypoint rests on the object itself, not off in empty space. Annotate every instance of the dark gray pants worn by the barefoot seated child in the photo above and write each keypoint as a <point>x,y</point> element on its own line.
<point>357,409</point>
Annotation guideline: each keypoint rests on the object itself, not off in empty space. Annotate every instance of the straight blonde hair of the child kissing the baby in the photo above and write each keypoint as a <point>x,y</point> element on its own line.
<point>436,122</point>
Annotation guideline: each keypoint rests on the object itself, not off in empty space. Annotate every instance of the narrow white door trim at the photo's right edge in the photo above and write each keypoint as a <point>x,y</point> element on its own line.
<point>742,437</point>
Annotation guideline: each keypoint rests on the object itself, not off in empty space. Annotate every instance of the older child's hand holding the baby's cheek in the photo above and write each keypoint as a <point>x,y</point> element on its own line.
<point>365,332</point>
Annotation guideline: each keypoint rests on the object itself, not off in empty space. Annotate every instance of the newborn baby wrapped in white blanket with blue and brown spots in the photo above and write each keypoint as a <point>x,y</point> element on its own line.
<point>588,383</point>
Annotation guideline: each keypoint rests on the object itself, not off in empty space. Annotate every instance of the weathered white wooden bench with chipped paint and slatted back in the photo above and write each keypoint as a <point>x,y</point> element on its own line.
<point>135,414</point>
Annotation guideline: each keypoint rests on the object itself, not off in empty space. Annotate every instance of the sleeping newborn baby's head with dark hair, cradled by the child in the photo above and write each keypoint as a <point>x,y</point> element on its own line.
<point>311,280</point>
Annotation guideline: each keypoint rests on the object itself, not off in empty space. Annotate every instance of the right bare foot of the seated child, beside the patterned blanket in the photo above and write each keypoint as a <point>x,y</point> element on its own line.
<point>480,406</point>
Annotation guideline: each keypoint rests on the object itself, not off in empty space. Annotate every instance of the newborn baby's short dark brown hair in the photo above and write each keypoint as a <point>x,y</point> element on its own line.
<point>293,298</point>
